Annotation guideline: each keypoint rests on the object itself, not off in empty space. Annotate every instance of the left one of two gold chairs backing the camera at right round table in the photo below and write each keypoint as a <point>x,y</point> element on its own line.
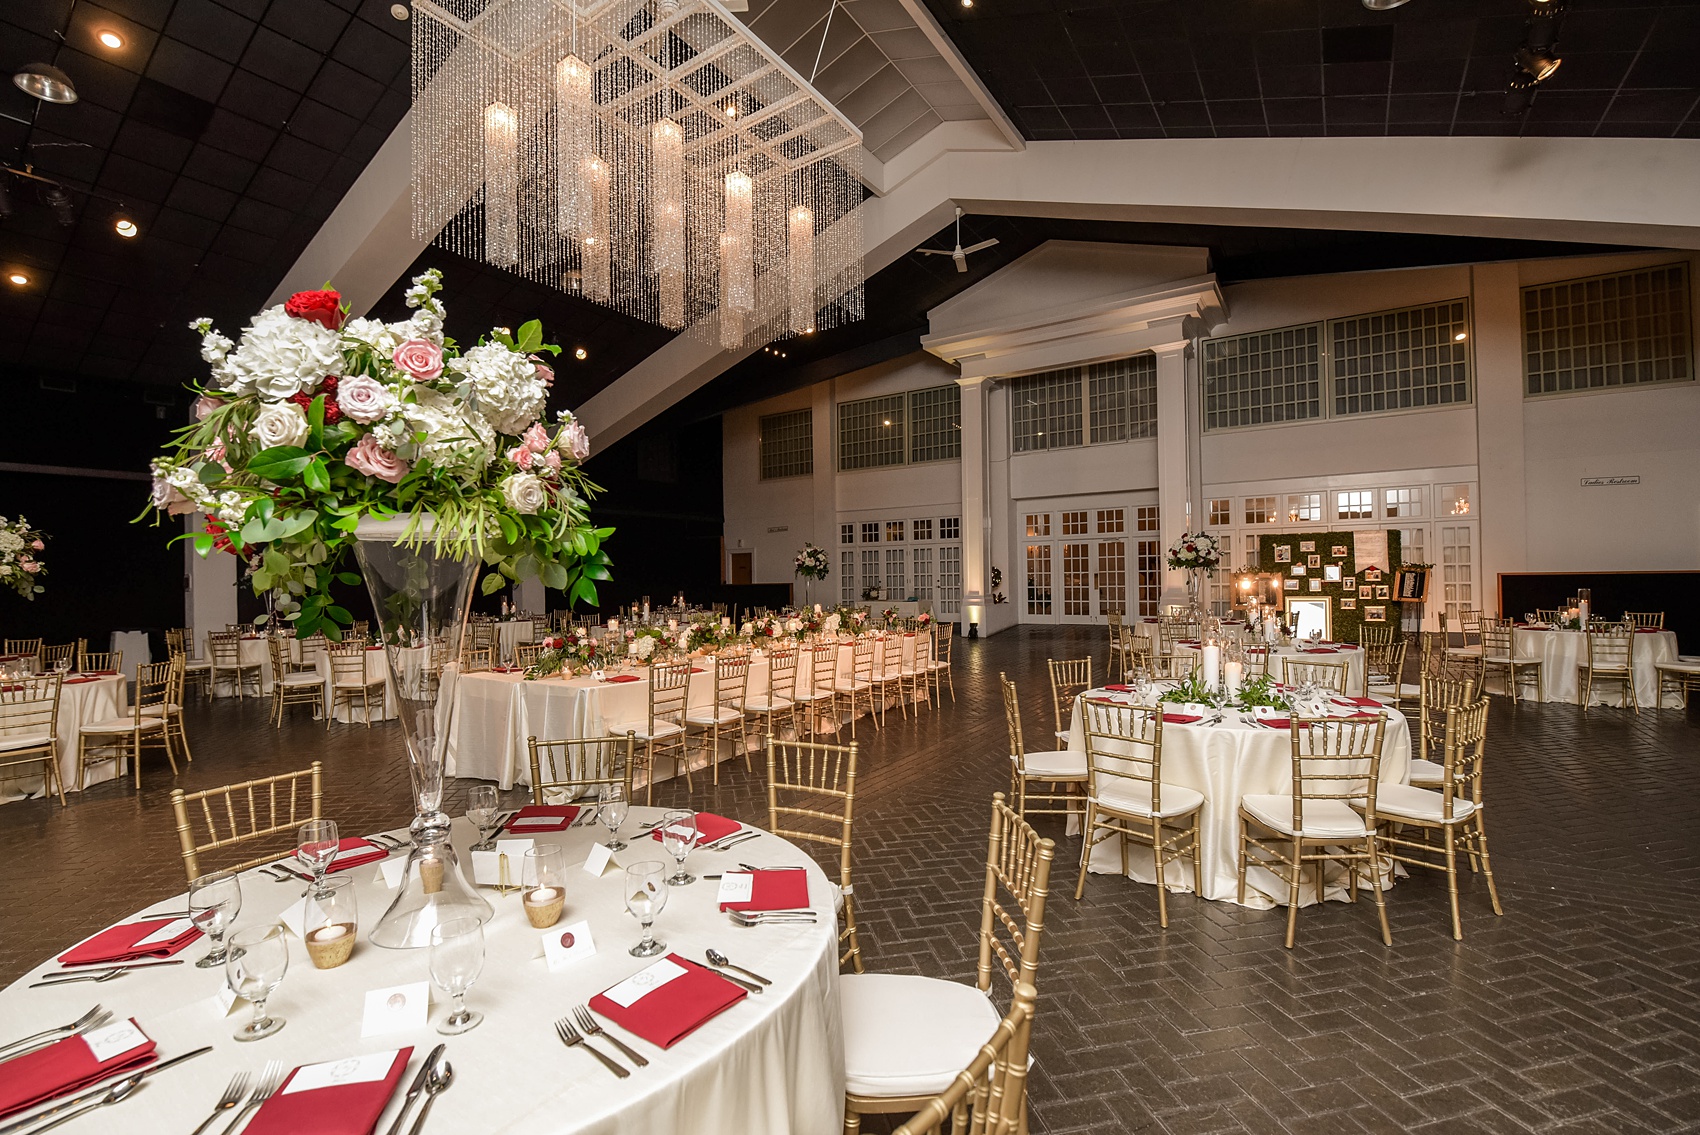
<point>1128,798</point>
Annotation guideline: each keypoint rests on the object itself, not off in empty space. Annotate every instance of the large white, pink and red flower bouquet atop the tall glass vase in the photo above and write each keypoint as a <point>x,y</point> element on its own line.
<point>315,422</point>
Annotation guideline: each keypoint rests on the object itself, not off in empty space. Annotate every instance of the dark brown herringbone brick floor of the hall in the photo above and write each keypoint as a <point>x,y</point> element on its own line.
<point>1573,1014</point>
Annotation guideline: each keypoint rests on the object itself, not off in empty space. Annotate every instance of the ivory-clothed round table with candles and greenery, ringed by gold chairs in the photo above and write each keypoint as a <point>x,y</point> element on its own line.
<point>1227,762</point>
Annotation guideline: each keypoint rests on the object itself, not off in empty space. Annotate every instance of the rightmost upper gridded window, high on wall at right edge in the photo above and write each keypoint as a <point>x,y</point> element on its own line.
<point>1612,330</point>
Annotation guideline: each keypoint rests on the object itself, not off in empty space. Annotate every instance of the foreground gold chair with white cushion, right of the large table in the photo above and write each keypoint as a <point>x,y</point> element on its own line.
<point>909,1037</point>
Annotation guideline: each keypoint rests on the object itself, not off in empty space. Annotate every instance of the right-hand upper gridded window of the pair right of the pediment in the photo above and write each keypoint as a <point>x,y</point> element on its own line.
<point>1402,359</point>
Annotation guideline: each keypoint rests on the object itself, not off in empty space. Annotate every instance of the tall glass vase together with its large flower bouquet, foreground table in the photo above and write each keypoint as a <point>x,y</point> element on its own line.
<point>322,438</point>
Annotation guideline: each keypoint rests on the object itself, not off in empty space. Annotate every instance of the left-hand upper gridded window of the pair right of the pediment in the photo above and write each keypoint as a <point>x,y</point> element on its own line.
<point>1264,378</point>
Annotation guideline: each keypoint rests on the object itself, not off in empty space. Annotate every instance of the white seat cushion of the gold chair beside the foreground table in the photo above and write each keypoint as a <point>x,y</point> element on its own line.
<point>910,1036</point>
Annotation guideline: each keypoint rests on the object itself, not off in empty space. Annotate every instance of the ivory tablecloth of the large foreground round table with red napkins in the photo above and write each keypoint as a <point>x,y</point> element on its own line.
<point>771,1063</point>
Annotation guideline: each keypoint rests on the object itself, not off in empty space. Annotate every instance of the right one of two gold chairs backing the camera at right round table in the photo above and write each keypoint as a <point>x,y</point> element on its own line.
<point>1329,816</point>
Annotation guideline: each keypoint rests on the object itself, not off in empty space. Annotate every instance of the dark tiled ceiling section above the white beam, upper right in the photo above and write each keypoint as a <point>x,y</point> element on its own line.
<point>1261,69</point>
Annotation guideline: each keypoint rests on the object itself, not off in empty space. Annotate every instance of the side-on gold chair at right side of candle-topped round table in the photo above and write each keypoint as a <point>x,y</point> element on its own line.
<point>1412,818</point>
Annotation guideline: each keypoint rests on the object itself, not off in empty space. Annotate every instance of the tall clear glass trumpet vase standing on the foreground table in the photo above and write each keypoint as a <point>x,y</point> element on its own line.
<point>421,597</point>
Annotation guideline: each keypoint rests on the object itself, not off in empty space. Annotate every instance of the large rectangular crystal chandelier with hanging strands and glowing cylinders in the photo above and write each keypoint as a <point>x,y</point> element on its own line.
<point>652,155</point>
